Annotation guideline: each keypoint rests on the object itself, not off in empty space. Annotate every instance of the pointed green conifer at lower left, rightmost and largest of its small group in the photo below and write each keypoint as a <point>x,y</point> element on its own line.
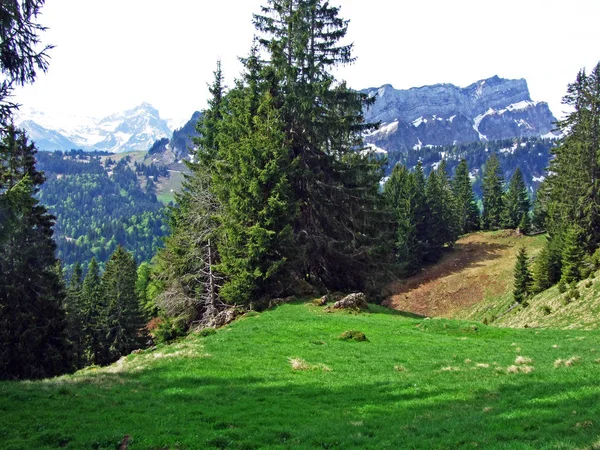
<point>124,322</point>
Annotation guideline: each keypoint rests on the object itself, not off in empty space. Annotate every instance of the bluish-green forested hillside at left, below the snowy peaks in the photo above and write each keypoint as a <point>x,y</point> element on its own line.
<point>100,205</point>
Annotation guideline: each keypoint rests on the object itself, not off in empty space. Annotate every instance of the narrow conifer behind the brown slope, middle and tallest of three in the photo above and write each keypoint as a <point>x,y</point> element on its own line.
<point>492,186</point>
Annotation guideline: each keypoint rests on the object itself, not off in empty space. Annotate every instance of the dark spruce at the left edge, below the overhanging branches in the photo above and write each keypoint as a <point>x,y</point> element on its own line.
<point>33,338</point>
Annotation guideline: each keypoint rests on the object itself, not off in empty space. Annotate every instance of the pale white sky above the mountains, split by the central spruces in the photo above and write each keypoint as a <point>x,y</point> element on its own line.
<point>111,55</point>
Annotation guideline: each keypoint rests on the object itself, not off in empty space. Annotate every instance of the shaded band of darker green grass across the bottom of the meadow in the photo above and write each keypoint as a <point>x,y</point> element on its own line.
<point>164,412</point>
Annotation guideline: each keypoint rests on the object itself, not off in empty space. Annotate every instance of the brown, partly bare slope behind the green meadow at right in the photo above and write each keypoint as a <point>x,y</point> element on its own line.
<point>473,281</point>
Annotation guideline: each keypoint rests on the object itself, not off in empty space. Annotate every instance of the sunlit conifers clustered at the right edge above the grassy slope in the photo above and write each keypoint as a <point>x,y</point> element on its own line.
<point>568,201</point>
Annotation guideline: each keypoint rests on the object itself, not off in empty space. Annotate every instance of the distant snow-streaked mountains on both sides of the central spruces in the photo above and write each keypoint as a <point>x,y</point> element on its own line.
<point>410,119</point>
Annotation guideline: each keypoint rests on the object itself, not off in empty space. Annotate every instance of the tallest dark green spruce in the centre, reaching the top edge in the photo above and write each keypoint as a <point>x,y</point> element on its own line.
<point>336,188</point>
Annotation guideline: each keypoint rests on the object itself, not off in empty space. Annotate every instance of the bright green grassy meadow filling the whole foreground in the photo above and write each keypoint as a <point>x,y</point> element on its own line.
<point>284,379</point>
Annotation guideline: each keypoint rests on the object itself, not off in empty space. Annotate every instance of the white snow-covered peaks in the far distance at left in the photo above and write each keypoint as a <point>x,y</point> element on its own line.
<point>133,130</point>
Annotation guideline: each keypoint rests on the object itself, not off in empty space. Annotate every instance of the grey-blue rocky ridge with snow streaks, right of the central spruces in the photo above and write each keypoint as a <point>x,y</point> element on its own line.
<point>444,114</point>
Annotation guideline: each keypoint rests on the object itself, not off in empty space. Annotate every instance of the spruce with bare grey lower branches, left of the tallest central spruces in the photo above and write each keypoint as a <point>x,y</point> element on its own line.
<point>184,274</point>
